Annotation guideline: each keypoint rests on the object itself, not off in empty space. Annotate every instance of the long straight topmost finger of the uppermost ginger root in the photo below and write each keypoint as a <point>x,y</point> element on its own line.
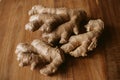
<point>39,9</point>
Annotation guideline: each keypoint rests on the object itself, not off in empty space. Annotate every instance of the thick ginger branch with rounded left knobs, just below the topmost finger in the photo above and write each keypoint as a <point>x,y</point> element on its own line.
<point>46,22</point>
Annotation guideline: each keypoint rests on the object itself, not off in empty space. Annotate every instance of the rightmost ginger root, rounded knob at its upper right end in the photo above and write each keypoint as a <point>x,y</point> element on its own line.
<point>79,45</point>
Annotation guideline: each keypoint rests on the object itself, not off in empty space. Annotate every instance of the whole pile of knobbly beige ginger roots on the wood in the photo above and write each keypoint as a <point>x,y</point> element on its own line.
<point>61,26</point>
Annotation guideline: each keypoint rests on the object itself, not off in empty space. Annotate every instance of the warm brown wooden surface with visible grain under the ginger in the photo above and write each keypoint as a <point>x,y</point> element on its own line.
<point>102,64</point>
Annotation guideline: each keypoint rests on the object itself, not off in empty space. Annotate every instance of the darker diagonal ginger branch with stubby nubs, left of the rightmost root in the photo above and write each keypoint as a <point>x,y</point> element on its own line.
<point>64,31</point>
